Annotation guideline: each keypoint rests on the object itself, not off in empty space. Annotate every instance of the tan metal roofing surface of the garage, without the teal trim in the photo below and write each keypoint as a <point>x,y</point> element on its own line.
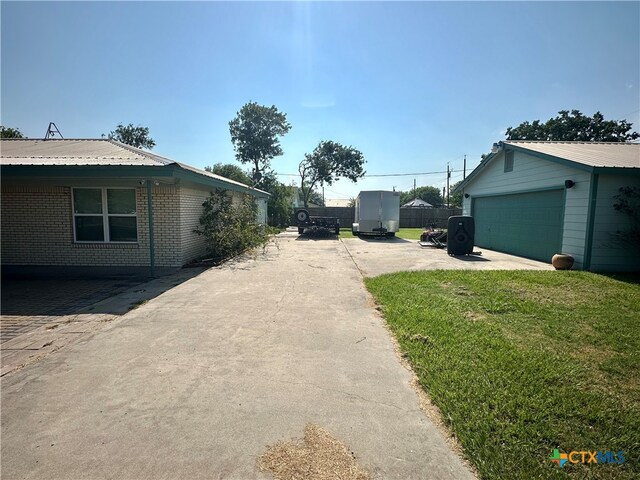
<point>592,154</point>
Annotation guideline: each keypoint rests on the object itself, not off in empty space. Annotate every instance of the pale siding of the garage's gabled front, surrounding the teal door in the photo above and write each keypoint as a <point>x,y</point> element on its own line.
<point>532,173</point>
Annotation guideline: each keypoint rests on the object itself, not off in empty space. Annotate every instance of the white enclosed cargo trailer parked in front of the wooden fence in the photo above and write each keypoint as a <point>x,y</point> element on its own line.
<point>377,212</point>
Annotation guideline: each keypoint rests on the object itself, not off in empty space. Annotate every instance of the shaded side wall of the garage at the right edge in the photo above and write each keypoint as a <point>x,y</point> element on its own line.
<point>608,252</point>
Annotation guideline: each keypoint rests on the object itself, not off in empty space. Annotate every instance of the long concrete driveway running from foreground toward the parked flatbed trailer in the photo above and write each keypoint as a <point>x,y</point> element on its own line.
<point>198,381</point>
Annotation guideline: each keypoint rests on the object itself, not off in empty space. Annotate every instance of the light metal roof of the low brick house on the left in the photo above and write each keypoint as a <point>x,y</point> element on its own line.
<point>91,153</point>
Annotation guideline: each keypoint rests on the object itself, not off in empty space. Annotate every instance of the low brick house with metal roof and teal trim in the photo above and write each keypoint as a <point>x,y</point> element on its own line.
<point>99,206</point>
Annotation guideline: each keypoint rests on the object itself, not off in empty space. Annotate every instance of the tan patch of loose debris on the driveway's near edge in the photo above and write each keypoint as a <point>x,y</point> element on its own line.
<point>317,456</point>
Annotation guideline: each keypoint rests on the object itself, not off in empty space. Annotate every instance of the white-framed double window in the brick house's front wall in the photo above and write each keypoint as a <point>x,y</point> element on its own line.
<point>105,215</point>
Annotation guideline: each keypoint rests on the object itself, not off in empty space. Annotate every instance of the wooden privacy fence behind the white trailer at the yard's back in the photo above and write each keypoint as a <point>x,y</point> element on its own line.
<point>409,217</point>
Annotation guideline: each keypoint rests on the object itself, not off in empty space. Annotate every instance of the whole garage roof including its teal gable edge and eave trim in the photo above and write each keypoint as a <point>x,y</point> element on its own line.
<point>589,156</point>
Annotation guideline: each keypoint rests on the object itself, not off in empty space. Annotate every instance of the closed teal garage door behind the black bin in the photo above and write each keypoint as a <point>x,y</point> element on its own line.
<point>524,224</point>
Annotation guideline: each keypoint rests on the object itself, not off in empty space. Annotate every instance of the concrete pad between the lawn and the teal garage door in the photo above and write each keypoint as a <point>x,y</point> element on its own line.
<point>376,256</point>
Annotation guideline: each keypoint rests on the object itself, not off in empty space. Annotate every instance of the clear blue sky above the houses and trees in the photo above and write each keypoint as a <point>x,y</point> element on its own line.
<point>412,85</point>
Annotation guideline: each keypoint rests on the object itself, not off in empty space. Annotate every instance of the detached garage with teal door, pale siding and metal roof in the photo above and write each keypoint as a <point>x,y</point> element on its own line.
<point>535,199</point>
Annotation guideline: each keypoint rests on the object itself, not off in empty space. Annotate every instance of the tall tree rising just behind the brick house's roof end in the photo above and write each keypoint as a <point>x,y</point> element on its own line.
<point>255,136</point>
